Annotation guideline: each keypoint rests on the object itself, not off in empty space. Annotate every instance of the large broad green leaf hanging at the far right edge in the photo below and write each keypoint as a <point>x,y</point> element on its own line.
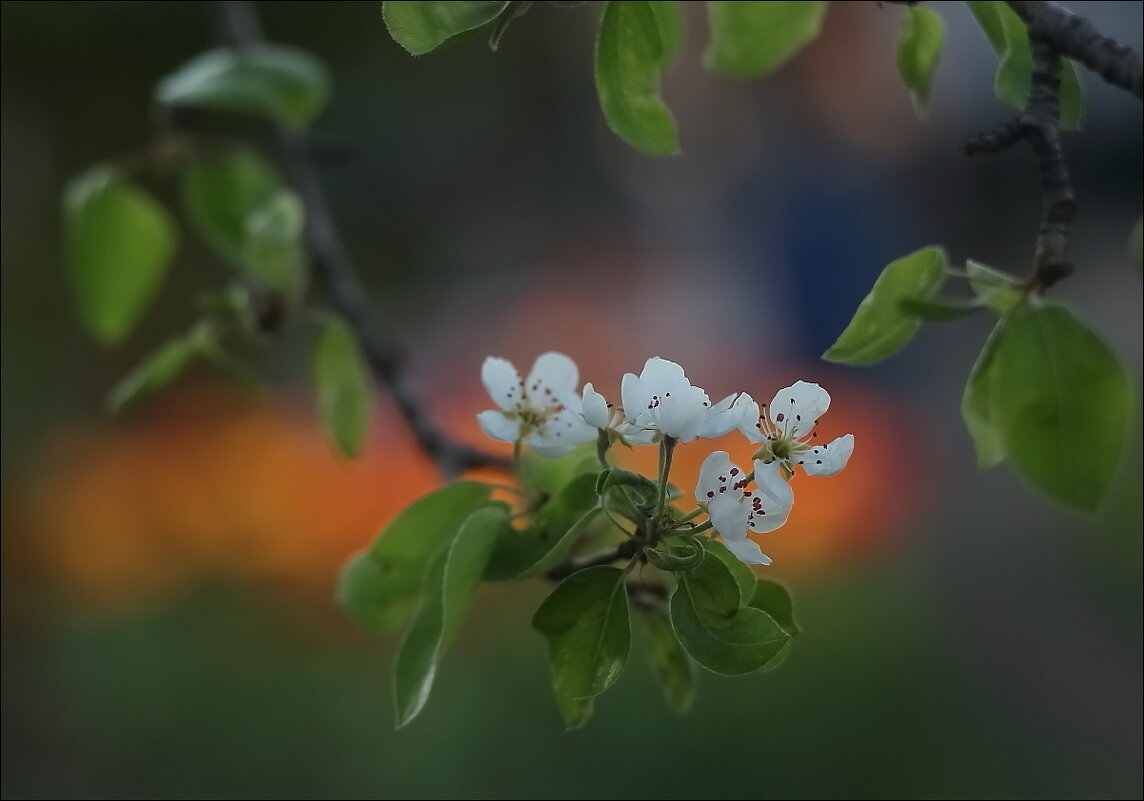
<point>1063,403</point>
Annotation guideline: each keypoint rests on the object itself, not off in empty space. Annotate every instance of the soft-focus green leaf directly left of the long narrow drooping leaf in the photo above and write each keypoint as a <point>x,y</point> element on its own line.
<point>380,586</point>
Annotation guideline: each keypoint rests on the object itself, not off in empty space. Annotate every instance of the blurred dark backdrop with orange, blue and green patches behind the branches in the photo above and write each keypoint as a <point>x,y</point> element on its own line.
<point>169,629</point>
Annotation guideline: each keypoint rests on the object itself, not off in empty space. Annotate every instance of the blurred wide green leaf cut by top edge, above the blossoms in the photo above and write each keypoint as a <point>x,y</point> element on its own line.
<point>751,38</point>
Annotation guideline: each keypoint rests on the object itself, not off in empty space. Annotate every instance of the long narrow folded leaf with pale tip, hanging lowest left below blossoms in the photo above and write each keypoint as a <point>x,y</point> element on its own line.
<point>454,581</point>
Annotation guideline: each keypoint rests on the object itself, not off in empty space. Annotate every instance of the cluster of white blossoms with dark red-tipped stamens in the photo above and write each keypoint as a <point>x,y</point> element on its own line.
<point>550,414</point>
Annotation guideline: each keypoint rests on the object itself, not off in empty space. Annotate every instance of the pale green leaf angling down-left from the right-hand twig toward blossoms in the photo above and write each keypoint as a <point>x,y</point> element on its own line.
<point>880,327</point>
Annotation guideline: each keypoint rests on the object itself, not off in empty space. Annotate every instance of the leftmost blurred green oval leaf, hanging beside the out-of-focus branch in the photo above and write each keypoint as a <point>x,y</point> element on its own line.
<point>120,248</point>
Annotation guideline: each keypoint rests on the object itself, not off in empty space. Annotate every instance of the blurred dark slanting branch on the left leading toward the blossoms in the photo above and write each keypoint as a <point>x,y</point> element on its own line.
<point>339,275</point>
